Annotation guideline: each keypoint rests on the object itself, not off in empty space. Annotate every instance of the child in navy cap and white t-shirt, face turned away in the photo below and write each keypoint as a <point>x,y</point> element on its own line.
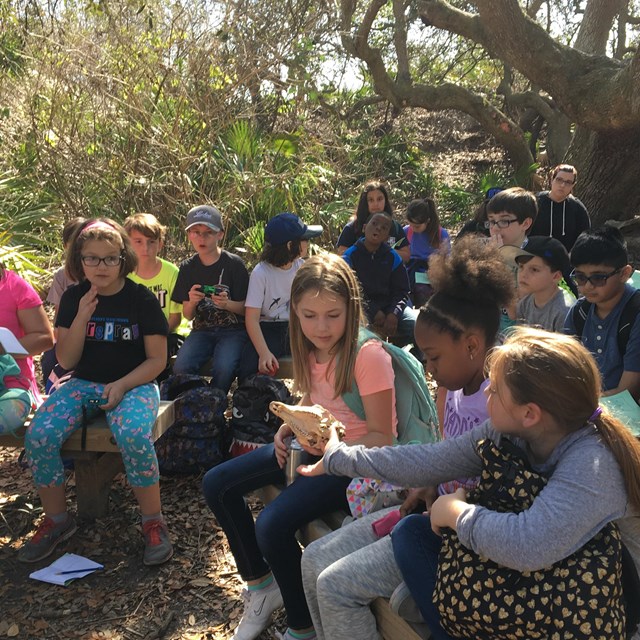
<point>267,305</point>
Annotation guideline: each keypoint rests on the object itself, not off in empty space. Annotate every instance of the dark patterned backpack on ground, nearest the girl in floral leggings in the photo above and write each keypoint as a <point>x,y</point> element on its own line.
<point>196,441</point>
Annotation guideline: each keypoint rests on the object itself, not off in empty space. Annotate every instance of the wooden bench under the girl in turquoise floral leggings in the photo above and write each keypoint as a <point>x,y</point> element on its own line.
<point>96,465</point>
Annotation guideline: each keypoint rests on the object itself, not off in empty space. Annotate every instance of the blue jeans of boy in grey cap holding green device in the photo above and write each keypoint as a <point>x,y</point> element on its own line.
<point>224,345</point>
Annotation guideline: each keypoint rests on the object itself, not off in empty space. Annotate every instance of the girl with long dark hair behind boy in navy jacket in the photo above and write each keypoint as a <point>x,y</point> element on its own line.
<point>374,198</point>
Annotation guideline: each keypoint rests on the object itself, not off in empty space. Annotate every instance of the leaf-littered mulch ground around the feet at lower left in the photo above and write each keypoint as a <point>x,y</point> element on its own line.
<point>195,596</point>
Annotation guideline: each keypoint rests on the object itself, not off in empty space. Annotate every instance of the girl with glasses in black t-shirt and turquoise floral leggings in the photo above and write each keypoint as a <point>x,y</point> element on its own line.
<point>113,334</point>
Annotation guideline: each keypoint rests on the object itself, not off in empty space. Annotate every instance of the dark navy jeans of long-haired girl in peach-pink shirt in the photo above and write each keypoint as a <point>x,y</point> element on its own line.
<point>270,544</point>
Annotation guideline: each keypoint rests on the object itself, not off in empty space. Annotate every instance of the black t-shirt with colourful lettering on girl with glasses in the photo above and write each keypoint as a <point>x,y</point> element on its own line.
<point>114,339</point>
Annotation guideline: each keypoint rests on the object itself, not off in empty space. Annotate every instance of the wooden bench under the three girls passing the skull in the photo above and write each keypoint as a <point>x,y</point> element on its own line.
<point>390,625</point>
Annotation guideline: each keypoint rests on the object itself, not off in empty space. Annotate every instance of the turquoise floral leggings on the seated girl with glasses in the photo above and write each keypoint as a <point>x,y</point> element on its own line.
<point>131,423</point>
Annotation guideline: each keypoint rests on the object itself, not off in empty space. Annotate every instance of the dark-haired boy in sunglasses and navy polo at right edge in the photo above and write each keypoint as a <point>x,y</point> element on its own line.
<point>601,269</point>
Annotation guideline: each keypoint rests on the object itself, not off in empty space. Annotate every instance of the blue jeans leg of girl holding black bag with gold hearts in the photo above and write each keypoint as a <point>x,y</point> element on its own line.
<point>416,548</point>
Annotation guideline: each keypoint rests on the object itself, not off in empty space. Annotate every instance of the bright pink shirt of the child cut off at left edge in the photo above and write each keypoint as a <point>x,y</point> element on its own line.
<point>17,294</point>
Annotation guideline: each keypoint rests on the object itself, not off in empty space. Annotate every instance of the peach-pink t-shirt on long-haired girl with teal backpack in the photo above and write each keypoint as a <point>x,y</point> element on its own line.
<point>373,373</point>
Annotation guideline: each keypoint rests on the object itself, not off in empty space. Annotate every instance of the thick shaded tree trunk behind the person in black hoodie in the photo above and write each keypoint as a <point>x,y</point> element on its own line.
<point>607,166</point>
